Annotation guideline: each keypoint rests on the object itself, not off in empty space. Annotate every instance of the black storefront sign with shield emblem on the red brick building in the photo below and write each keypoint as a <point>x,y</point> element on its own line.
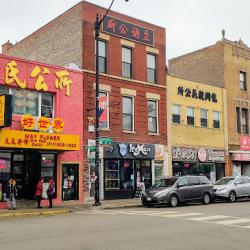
<point>130,151</point>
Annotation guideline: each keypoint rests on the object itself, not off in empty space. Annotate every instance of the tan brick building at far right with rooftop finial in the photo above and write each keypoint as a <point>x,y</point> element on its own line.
<point>225,64</point>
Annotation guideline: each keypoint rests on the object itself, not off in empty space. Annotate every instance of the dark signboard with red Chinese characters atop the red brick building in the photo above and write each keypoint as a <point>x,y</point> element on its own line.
<point>128,30</point>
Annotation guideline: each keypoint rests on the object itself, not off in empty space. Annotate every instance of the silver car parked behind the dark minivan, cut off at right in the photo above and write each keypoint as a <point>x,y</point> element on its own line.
<point>232,188</point>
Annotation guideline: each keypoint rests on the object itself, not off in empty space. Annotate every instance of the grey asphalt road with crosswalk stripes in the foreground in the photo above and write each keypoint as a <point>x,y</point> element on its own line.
<point>216,226</point>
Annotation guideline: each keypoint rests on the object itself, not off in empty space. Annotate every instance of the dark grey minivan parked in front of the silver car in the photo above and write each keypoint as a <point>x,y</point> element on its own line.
<point>175,190</point>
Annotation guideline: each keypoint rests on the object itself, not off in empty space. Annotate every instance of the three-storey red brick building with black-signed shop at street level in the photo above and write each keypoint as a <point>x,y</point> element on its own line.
<point>132,83</point>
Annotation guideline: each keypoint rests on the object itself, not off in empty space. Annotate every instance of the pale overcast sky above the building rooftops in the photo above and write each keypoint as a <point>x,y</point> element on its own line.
<point>190,24</point>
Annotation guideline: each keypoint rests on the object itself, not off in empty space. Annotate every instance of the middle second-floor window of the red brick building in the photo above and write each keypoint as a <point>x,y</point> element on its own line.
<point>128,113</point>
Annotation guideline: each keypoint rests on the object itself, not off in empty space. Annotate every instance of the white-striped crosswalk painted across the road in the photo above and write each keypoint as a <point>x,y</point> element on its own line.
<point>224,220</point>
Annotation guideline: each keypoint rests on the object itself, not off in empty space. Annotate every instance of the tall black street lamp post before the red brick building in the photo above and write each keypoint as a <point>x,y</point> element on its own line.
<point>97,144</point>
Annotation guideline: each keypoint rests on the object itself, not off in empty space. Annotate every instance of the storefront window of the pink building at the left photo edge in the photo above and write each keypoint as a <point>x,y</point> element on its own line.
<point>5,160</point>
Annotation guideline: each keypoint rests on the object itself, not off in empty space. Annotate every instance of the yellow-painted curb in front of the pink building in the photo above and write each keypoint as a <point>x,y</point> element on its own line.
<point>35,213</point>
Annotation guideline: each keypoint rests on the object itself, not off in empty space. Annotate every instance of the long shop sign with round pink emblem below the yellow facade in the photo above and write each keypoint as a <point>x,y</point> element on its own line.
<point>198,154</point>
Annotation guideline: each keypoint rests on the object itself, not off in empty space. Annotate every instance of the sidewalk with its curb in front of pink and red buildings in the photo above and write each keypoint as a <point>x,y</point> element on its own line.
<point>68,208</point>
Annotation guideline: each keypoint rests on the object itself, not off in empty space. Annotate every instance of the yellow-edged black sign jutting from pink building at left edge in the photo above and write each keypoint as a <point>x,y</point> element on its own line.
<point>5,111</point>
